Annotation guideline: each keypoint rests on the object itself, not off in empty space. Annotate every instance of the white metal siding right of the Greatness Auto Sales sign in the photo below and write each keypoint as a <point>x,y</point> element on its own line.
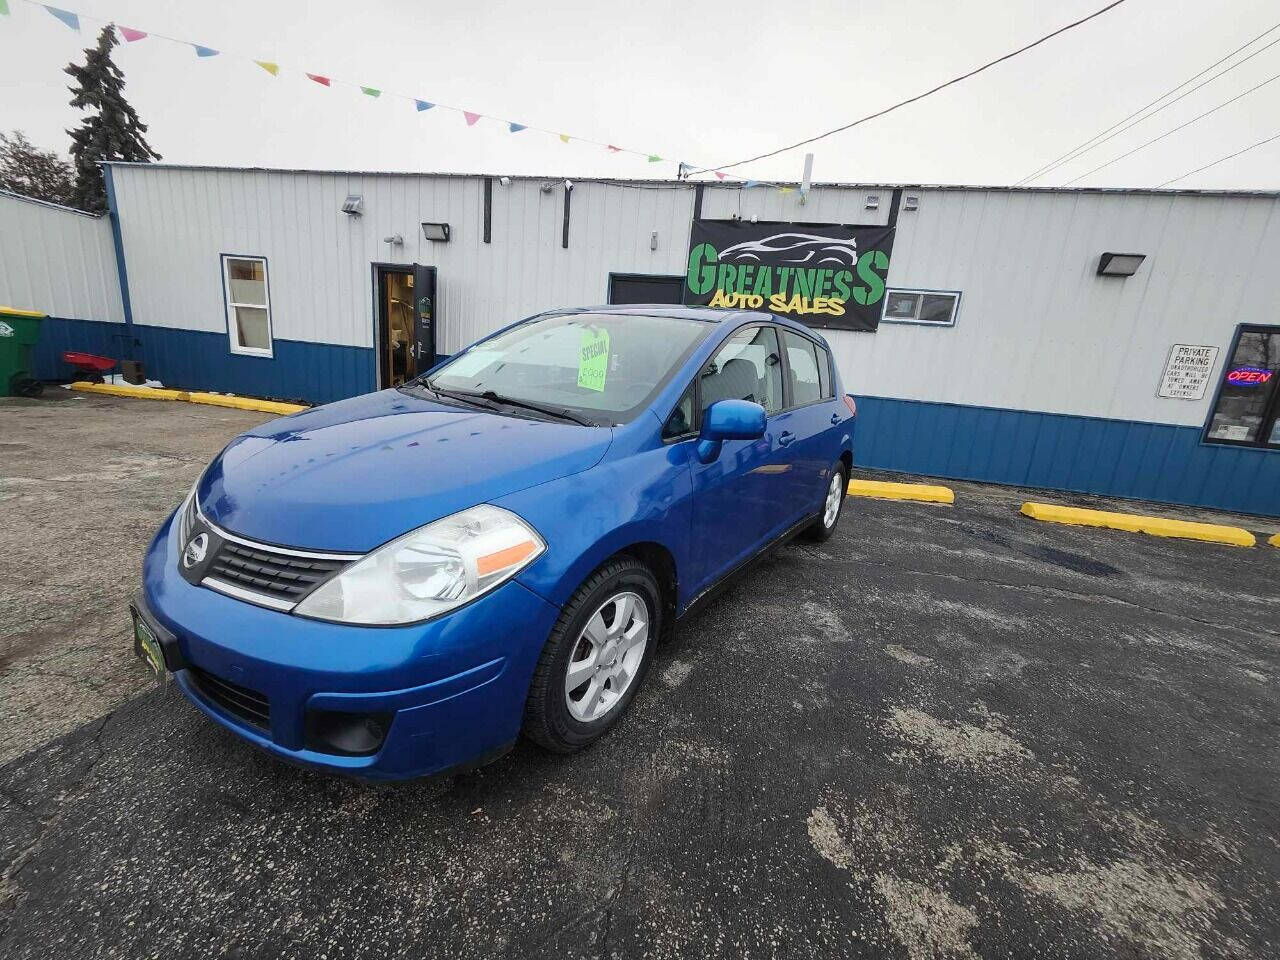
<point>1039,330</point>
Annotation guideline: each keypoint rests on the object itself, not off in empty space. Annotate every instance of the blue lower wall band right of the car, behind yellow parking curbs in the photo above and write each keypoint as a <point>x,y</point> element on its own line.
<point>1057,451</point>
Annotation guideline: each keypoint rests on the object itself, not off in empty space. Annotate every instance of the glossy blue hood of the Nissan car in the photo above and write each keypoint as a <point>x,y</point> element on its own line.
<point>356,474</point>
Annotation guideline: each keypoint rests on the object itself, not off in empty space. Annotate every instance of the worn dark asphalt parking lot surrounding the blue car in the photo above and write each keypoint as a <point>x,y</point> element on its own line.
<point>949,732</point>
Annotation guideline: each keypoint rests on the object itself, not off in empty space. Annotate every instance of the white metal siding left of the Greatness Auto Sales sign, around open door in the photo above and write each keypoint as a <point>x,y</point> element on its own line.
<point>177,222</point>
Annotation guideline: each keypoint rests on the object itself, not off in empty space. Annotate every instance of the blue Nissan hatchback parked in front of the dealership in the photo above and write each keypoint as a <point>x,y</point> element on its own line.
<point>403,583</point>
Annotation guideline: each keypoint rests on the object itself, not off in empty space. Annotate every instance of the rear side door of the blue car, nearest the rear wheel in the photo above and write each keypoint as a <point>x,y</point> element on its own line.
<point>811,420</point>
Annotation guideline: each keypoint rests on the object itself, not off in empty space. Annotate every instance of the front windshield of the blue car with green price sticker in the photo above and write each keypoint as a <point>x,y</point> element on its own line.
<point>604,367</point>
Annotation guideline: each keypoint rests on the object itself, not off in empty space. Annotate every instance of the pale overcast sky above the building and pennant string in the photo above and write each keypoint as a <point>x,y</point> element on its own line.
<point>703,83</point>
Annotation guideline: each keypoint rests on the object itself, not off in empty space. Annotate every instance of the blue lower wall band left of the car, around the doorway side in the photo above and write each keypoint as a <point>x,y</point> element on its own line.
<point>195,360</point>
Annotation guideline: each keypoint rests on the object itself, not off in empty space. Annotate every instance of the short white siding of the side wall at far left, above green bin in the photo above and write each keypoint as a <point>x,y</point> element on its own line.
<point>57,260</point>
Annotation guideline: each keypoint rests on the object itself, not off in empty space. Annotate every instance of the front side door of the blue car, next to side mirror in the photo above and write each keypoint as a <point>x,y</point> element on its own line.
<point>740,497</point>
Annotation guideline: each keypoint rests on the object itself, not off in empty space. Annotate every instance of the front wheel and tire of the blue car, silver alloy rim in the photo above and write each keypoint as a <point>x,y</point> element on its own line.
<point>621,588</point>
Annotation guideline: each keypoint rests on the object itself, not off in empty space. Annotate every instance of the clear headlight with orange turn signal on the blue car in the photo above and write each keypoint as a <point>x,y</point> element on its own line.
<point>429,572</point>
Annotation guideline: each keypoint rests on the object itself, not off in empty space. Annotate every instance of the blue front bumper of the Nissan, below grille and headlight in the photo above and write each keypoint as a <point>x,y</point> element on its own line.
<point>449,693</point>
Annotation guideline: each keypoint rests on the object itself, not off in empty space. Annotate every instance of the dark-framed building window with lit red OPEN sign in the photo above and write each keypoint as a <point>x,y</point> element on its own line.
<point>1247,406</point>
